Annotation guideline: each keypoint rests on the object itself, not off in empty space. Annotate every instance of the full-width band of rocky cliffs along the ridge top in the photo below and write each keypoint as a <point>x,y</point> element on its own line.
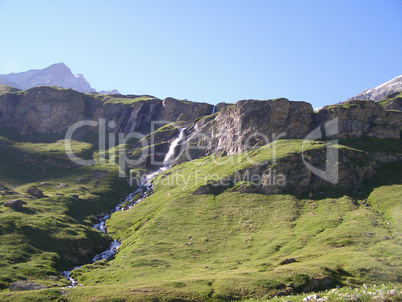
<point>232,129</point>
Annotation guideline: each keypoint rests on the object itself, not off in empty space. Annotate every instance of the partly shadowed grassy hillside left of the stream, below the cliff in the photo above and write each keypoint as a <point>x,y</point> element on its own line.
<point>50,233</point>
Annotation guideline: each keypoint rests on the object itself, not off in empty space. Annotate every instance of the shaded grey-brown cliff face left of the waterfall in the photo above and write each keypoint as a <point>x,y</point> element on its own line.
<point>54,110</point>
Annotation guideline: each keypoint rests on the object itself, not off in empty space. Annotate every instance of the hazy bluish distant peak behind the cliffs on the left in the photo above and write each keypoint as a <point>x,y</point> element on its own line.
<point>55,75</point>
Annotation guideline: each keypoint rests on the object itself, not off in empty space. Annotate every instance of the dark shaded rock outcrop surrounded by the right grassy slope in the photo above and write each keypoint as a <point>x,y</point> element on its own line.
<point>291,175</point>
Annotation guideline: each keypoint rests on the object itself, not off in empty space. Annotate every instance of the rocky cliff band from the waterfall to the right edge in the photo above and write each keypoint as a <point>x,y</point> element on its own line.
<point>249,124</point>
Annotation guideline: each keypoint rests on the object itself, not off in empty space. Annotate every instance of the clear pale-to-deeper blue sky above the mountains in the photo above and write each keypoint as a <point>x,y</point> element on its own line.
<point>318,51</point>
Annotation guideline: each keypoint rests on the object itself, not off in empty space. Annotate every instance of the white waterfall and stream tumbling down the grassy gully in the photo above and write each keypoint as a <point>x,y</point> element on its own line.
<point>145,189</point>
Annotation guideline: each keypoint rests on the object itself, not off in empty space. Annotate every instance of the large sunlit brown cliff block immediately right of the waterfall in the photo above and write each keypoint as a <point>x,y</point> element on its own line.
<point>247,124</point>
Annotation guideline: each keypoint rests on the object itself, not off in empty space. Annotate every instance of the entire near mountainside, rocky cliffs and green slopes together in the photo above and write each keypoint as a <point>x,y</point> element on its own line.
<point>212,225</point>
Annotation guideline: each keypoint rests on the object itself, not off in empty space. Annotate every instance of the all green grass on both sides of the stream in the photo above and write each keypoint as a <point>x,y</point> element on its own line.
<point>184,247</point>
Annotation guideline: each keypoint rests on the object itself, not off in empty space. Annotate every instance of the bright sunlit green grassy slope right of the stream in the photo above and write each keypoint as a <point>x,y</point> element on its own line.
<point>232,245</point>
